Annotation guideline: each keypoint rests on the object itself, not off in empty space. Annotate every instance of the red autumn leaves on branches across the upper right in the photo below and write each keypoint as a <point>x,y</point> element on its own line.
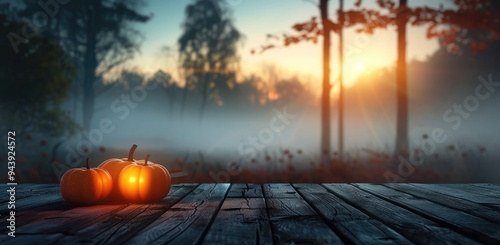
<point>447,24</point>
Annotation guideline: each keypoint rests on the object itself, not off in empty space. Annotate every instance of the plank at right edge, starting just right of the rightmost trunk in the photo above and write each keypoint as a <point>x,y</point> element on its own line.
<point>493,202</point>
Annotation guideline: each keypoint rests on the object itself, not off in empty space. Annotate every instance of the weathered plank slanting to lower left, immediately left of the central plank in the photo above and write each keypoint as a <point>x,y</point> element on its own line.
<point>188,220</point>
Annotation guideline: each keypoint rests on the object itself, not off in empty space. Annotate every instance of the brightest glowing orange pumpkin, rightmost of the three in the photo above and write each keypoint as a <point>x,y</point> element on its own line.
<point>143,182</point>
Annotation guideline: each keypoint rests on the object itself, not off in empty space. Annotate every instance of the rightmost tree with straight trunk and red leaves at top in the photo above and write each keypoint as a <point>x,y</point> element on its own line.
<point>474,15</point>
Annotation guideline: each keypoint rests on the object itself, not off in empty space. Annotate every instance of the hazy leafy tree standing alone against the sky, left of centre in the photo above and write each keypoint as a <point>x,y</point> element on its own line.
<point>208,50</point>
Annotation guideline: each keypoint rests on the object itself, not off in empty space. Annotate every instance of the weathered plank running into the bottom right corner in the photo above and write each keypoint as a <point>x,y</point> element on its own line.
<point>472,226</point>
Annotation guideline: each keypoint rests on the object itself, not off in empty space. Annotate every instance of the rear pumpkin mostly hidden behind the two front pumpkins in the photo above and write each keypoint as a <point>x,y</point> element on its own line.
<point>115,166</point>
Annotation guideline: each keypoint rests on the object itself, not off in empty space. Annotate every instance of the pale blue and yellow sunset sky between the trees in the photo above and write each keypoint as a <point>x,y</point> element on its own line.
<point>256,18</point>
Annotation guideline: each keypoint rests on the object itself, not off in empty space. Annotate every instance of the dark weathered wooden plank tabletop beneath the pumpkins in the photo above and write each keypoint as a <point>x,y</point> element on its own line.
<point>265,214</point>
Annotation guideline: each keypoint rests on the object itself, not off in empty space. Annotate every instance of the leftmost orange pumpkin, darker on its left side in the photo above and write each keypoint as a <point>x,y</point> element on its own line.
<point>84,186</point>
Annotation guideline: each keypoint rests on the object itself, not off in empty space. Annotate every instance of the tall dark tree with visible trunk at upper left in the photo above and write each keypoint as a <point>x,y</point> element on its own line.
<point>97,36</point>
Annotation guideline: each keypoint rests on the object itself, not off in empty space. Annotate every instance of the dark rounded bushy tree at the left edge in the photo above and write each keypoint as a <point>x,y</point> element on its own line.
<point>35,82</point>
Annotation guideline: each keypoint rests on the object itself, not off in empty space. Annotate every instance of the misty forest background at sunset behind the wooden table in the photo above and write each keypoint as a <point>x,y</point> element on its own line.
<point>238,90</point>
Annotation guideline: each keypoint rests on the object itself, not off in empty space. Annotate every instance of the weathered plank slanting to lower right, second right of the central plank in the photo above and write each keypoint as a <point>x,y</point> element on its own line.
<point>349,222</point>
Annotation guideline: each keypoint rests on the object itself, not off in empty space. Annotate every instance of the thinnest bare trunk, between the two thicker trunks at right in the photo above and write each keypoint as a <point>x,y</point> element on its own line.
<point>341,81</point>
